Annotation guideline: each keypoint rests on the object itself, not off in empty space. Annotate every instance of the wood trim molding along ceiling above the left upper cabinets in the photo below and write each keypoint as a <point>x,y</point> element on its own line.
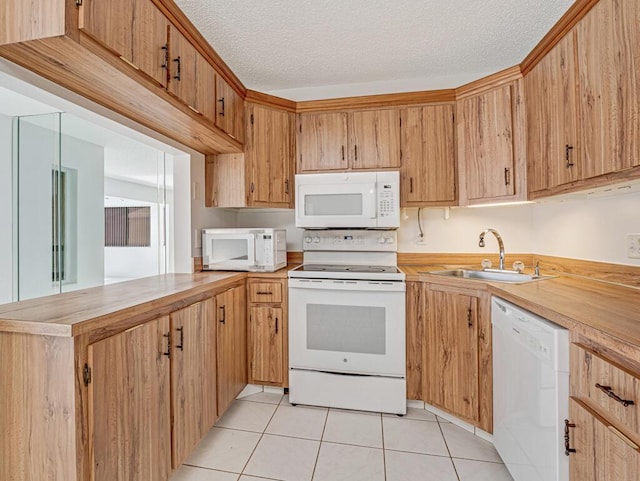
<point>182,22</point>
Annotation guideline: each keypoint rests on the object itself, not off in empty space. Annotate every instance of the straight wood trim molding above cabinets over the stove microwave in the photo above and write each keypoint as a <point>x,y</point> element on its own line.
<point>375,101</point>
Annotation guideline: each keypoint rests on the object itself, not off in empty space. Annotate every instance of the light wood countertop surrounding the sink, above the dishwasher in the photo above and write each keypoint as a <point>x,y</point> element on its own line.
<point>577,303</point>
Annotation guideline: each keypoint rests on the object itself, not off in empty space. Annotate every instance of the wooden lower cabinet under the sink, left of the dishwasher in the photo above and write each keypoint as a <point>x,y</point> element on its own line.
<point>457,349</point>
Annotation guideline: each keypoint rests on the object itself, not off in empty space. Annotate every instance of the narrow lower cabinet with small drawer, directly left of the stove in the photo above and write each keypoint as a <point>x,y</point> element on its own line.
<point>267,336</point>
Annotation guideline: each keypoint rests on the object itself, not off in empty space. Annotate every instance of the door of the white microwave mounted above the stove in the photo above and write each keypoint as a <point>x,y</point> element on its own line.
<point>336,203</point>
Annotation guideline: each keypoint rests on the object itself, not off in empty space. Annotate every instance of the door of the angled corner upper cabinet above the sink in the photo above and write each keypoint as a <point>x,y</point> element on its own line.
<point>486,143</point>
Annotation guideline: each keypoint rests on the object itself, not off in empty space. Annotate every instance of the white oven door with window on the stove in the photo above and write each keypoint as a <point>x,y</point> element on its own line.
<point>344,326</point>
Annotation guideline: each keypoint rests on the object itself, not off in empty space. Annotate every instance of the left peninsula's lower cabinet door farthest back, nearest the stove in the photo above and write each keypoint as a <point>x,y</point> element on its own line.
<point>231,345</point>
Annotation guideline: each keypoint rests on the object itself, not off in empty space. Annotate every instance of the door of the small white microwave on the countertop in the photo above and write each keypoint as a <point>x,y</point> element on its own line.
<point>228,251</point>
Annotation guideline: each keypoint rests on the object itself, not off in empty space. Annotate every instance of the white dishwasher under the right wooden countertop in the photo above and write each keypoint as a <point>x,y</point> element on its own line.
<point>530,393</point>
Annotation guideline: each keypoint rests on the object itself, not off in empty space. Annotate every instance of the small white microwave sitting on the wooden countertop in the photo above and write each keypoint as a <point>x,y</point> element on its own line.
<point>244,249</point>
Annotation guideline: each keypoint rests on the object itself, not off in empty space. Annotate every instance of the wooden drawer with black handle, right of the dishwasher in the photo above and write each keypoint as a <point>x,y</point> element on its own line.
<point>614,389</point>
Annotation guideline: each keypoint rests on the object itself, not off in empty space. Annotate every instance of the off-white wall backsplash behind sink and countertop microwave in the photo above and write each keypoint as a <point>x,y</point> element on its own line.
<point>591,229</point>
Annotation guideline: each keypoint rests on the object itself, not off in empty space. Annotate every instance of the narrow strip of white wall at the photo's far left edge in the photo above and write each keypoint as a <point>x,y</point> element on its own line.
<point>6,214</point>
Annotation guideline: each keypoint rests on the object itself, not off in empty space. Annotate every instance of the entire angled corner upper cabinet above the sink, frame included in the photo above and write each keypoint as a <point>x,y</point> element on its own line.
<point>491,149</point>
